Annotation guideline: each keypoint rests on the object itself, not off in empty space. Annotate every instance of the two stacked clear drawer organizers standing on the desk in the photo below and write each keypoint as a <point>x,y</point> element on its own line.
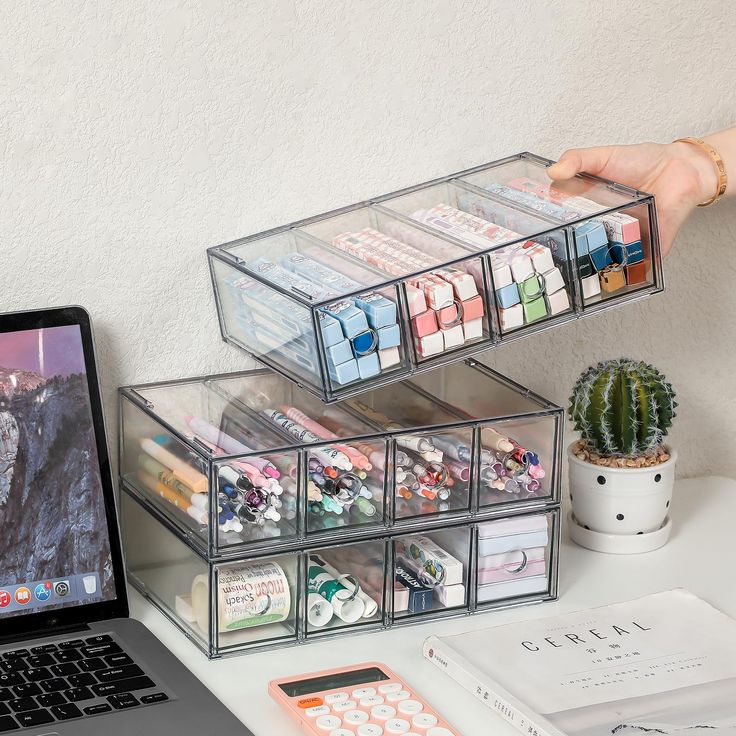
<point>398,518</point>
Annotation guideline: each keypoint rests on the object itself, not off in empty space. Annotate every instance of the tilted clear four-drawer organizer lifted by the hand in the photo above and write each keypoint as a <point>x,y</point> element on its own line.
<point>363,296</point>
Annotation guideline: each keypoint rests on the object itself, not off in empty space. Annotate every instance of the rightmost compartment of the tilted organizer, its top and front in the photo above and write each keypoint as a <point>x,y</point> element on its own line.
<point>612,229</point>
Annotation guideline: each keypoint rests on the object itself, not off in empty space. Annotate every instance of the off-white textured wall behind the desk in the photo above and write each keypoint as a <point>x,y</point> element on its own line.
<point>135,134</point>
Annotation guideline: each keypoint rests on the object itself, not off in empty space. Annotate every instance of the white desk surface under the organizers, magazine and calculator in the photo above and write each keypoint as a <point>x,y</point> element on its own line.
<point>700,556</point>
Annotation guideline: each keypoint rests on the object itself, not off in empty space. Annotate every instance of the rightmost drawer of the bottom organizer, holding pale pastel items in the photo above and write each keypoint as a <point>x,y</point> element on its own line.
<point>517,558</point>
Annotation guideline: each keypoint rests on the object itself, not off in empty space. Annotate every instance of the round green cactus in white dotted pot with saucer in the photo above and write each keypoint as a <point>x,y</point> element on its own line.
<point>621,473</point>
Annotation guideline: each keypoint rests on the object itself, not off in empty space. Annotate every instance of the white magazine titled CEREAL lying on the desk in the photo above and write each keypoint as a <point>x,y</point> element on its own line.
<point>660,664</point>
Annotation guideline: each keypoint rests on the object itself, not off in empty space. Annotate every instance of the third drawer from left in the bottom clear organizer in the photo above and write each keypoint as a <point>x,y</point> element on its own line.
<point>431,572</point>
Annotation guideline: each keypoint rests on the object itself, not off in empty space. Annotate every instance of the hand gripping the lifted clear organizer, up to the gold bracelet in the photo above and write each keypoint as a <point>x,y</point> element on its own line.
<point>679,175</point>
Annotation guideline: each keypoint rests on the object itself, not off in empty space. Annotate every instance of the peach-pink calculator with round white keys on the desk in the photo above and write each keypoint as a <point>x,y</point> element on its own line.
<point>364,700</point>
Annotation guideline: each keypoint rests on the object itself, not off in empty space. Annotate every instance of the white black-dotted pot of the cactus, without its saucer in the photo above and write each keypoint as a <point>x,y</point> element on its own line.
<point>621,501</point>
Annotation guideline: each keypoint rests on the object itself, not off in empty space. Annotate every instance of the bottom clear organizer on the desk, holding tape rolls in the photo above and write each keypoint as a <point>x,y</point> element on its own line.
<point>280,599</point>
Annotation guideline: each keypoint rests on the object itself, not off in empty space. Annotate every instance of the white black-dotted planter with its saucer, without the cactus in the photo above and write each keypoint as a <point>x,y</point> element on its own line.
<point>620,509</point>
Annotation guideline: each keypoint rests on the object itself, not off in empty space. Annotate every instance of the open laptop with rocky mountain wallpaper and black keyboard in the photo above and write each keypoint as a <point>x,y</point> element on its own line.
<point>72,661</point>
